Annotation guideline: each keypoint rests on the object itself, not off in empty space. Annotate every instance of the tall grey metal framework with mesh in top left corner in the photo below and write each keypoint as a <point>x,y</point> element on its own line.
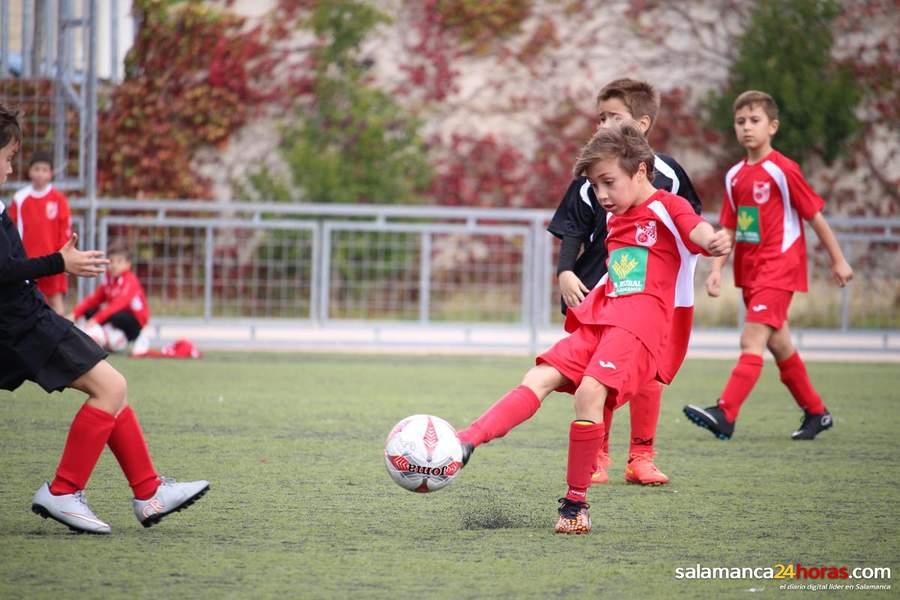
<point>48,58</point>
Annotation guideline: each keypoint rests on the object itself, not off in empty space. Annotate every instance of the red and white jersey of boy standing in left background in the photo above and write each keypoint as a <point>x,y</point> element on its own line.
<point>42,218</point>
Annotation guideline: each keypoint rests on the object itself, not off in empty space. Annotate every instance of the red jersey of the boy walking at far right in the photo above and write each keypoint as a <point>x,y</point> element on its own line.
<point>764,204</point>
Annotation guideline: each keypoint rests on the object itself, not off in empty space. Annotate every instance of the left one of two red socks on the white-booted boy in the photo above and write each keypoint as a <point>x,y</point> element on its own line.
<point>88,434</point>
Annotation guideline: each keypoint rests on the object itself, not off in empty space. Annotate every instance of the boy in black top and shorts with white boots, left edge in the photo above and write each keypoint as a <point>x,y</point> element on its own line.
<point>36,344</point>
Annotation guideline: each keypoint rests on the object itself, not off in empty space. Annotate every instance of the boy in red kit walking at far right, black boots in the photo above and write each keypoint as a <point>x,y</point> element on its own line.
<point>766,197</point>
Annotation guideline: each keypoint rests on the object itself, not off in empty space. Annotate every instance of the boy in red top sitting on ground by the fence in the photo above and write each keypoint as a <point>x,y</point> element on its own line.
<point>117,311</point>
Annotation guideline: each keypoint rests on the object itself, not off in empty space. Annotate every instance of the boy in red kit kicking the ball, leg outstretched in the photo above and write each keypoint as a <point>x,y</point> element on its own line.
<point>627,334</point>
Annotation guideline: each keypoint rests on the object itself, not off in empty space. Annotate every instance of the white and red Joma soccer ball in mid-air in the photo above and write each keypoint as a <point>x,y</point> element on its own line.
<point>423,454</point>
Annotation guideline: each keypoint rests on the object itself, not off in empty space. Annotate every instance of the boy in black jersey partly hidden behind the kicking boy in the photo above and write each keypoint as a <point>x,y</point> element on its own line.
<point>580,222</point>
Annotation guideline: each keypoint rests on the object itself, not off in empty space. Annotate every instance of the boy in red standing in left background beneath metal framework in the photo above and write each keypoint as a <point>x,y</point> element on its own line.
<point>41,214</point>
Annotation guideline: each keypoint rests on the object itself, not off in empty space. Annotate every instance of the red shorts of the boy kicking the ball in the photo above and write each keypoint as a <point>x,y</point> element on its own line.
<point>611,355</point>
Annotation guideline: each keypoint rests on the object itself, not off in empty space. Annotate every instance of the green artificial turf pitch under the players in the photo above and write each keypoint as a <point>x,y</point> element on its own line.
<point>301,506</point>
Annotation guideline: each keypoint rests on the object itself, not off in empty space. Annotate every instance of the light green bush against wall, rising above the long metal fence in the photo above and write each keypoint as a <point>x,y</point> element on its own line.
<point>351,142</point>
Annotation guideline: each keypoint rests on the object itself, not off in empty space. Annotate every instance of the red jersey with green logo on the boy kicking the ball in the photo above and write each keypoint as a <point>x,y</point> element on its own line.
<point>649,286</point>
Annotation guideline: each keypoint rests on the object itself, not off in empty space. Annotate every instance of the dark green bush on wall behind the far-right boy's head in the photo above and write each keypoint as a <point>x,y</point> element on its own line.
<point>786,52</point>
